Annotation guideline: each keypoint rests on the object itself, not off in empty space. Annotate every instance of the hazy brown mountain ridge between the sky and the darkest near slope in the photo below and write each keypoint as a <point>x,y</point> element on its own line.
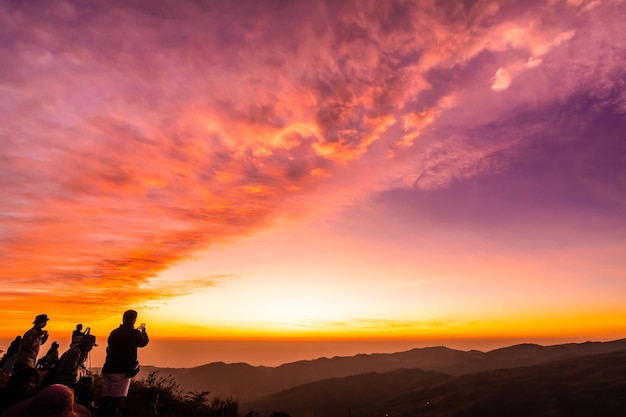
<point>243,381</point>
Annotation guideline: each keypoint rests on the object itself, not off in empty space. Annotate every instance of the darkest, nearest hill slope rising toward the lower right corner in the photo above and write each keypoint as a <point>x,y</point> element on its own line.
<point>592,385</point>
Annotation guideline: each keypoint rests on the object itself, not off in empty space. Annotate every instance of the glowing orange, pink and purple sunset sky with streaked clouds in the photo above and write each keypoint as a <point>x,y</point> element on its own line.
<point>314,173</point>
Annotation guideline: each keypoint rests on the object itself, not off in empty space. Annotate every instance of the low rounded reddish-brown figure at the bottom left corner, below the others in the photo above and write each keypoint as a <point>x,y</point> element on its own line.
<point>52,401</point>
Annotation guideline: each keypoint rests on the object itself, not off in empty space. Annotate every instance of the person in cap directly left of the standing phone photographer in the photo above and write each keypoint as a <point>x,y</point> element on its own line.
<point>71,371</point>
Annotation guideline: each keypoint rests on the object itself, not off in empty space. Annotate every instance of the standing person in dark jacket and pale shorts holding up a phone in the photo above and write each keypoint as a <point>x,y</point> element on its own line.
<point>120,362</point>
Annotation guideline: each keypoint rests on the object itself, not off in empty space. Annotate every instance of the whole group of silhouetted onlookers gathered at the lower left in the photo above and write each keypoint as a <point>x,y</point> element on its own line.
<point>62,386</point>
